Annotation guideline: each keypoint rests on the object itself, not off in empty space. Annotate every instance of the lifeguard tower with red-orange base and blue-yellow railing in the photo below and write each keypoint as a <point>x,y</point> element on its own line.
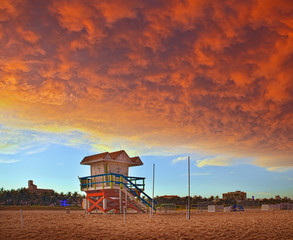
<point>109,188</point>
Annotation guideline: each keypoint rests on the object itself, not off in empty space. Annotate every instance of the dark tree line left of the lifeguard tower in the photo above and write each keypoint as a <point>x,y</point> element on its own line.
<point>23,196</point>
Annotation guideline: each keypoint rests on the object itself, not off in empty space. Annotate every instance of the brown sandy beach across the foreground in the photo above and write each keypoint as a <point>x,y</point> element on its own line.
<point>203,225</point>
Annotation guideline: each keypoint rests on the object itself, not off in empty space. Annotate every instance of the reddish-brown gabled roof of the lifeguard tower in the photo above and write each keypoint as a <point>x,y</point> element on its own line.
<point>118,156</point>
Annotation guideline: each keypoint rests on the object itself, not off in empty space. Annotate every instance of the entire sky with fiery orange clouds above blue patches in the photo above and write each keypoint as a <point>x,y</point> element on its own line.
<point>163,80</point>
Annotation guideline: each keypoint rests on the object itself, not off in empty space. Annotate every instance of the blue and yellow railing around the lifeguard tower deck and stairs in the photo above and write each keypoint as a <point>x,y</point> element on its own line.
<point>135,185</point>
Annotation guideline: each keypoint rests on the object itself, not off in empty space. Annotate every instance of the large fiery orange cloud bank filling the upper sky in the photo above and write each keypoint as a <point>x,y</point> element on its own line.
<point>193,76</point>
